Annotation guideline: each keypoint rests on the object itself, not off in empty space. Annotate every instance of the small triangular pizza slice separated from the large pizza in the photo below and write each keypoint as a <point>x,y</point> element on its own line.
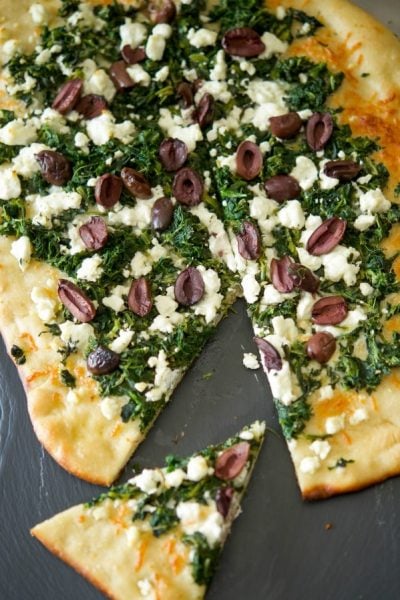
<point>160,534</point>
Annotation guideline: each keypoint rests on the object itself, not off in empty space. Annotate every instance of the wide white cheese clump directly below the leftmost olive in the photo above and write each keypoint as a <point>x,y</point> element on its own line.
<point>43,208</point>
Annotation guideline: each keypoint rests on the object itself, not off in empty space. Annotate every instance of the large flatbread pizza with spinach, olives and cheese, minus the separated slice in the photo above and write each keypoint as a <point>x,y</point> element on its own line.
<point>163,159</point>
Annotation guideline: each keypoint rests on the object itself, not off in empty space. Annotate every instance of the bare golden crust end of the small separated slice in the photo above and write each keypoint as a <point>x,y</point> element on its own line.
<point>97,545</point>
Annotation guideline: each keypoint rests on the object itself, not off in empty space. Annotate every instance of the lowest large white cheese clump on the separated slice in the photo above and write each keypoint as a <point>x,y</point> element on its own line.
<point>204,519</point>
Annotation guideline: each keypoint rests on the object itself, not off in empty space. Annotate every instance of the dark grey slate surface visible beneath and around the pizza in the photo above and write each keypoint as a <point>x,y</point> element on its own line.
<point>279,548</point>
